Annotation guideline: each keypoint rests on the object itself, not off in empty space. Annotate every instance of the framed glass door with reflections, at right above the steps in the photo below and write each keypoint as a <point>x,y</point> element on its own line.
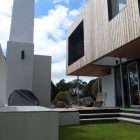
<point>134,89</point>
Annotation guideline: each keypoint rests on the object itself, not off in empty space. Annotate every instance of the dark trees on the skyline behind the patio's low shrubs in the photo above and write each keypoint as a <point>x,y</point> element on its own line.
<point>86,89</point>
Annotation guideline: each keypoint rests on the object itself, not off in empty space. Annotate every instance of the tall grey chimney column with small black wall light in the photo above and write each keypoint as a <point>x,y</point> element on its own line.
<point>20,70</point>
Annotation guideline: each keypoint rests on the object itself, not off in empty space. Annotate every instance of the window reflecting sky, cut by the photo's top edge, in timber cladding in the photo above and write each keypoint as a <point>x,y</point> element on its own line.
<point>115,6</point>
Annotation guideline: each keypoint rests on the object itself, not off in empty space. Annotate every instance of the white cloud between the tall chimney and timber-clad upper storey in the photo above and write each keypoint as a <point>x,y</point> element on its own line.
<point>50,33</point>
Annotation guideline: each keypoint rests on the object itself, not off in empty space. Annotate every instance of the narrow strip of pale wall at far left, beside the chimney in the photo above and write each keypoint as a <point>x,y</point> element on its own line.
<point>2,79</point>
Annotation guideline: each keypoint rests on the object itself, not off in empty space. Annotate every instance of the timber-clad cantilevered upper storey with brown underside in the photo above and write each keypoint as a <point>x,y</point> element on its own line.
<point>118,37</point>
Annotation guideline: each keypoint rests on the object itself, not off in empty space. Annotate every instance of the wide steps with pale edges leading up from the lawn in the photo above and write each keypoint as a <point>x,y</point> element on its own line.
<point>108,115</point>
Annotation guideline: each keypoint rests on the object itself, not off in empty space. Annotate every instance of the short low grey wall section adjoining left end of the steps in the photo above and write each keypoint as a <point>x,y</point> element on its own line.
<point>68,118</point>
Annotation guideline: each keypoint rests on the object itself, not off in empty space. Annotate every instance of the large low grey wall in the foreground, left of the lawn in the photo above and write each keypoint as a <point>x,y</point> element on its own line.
<point>31,125</point>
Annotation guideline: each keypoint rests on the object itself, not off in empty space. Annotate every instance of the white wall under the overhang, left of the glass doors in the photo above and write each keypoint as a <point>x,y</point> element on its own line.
<point>108,86</point>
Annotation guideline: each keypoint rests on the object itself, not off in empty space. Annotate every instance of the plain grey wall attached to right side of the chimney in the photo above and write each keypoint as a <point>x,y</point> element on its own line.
<point>42,79</point>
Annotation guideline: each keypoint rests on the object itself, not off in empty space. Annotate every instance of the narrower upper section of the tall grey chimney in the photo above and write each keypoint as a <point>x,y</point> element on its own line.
<point>22,24</point>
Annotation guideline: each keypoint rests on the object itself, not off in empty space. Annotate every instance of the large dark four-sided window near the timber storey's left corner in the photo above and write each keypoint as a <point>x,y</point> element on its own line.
<point>76,44</point>
